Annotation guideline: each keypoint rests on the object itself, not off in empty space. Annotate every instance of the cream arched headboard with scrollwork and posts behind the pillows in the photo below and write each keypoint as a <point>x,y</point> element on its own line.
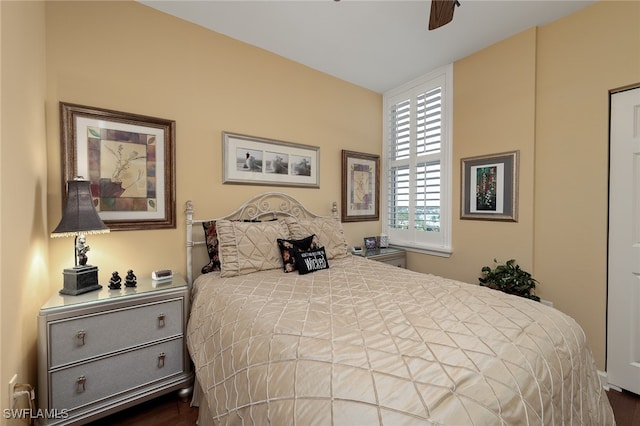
<point>267,205</point>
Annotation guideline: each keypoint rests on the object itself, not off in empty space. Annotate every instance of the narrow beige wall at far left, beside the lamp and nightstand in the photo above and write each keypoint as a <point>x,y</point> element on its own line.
<point>24,277</point>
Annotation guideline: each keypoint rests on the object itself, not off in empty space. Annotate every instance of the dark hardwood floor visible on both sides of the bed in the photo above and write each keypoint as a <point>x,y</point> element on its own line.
<point>170,410</point>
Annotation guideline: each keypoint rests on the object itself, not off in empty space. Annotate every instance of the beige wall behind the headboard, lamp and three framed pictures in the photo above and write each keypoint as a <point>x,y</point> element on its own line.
<point>138,60</point>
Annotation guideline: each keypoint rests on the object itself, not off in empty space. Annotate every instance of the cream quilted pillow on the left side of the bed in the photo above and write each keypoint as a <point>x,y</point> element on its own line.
<point>247,247</point>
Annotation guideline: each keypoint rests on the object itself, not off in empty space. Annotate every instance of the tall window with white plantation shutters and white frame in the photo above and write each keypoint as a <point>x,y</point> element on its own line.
<point>416,188</point>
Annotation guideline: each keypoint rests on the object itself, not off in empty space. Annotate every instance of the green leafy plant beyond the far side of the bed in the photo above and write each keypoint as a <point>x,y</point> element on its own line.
<point>509,278</point>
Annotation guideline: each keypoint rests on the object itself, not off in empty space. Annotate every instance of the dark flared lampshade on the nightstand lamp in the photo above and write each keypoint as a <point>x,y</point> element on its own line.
<point>80,216</point>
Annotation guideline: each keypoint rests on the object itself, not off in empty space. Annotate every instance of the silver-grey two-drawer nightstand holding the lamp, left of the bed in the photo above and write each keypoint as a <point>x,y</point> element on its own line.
<point>103,351</point>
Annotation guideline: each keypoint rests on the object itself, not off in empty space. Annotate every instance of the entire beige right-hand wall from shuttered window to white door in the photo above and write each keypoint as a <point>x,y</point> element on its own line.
<point>545,92</point>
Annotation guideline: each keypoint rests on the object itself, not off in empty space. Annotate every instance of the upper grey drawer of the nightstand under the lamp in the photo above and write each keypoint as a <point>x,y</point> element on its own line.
<point>84,337</point>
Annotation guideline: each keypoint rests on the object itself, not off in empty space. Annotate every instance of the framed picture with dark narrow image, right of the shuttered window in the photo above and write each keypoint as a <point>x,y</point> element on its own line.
<point>490,187</point>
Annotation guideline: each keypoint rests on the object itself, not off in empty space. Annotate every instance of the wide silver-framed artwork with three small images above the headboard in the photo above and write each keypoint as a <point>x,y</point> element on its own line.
<point>260,161</point>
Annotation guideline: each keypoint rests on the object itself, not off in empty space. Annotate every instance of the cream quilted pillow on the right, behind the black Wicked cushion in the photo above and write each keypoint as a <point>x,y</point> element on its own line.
<point>329,232</point>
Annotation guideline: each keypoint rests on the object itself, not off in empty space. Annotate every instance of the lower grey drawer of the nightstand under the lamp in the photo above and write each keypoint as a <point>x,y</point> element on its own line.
<point>95,380</point>
